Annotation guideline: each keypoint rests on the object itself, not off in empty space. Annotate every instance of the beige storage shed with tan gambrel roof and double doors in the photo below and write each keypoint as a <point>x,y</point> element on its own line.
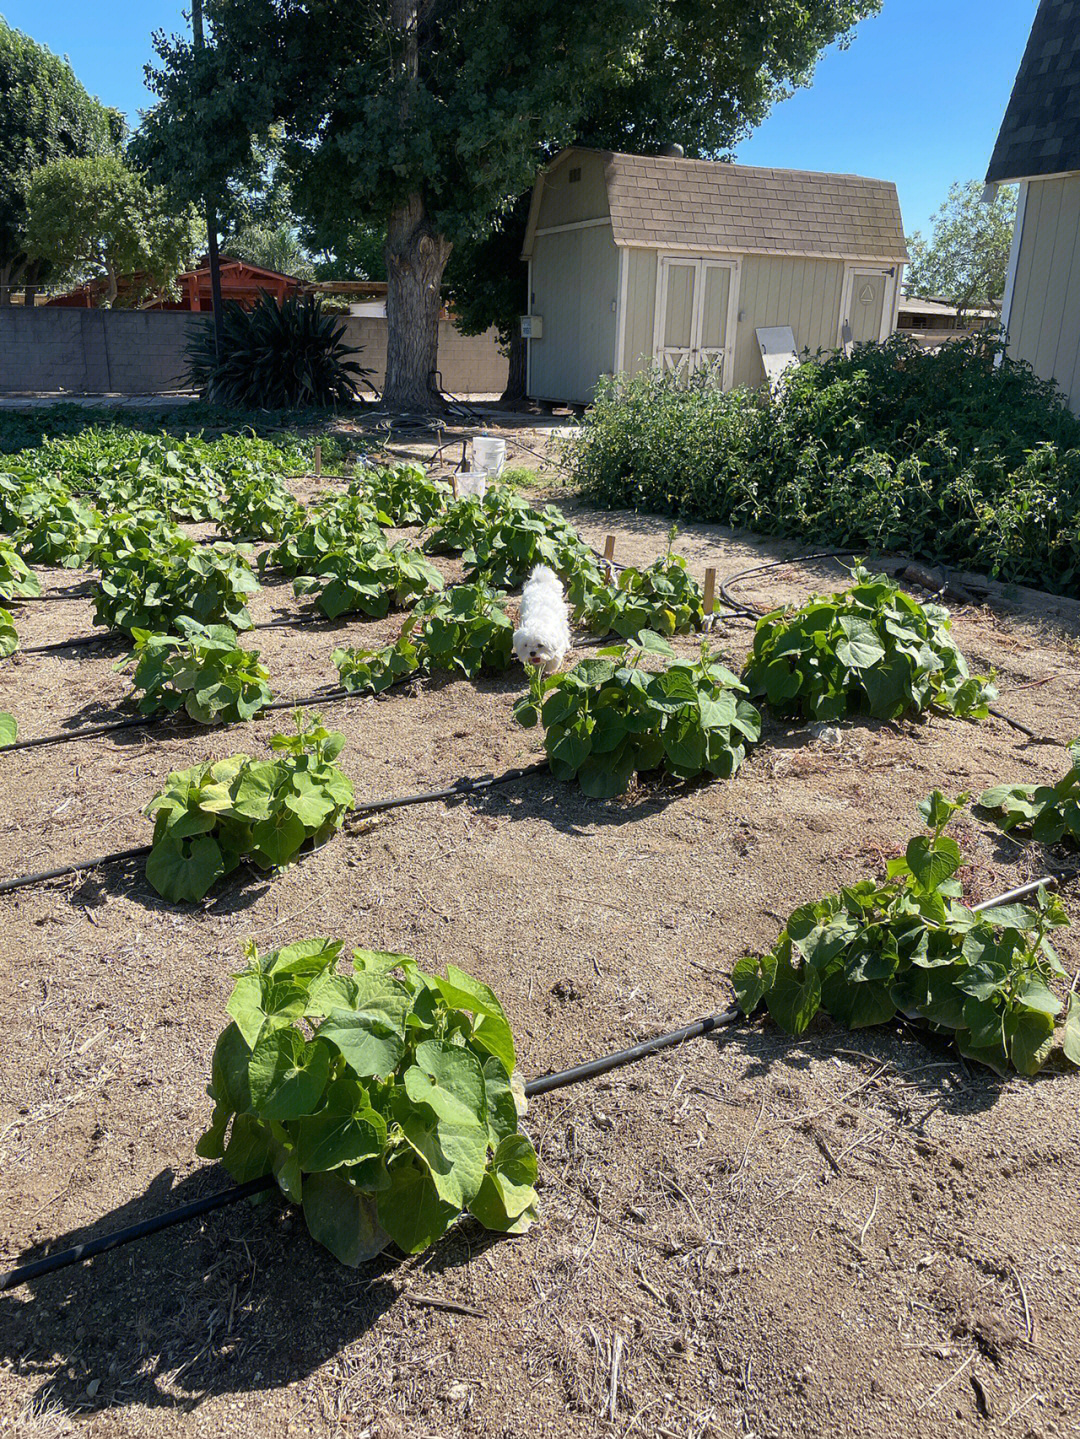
<point>656,258</point>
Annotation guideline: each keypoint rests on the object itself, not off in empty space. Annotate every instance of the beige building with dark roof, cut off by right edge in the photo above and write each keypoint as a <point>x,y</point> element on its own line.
<point>1039,146</point>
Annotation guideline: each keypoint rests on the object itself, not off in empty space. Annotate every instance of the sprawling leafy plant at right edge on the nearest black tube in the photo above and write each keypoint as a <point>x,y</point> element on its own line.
<point>912,946</point>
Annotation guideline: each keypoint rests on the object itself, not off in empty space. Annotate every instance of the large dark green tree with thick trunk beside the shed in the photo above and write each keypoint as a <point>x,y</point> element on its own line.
<point>431,117</point>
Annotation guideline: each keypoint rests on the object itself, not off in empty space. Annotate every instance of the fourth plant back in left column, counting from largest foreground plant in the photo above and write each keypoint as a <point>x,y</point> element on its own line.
<point>150,589</point>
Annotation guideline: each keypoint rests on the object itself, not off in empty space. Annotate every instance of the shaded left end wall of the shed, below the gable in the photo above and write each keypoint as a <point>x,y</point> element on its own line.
<point>575,290</point>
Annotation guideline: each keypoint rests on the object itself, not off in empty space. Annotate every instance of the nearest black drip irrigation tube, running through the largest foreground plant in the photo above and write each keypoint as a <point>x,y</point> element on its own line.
<point>544,1084</point>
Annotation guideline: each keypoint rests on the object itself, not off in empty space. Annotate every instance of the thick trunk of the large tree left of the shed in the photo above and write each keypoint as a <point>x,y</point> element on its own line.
<point>416,260</point>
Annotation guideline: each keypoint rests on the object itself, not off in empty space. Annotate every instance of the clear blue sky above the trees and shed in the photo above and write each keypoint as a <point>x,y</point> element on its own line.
<point>917,99</point>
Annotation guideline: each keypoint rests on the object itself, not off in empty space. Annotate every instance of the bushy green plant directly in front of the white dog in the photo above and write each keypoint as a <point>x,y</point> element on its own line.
<point>608,719</point>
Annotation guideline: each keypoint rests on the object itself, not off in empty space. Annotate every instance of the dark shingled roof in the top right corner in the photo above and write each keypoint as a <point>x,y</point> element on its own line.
<point>1040,135</point>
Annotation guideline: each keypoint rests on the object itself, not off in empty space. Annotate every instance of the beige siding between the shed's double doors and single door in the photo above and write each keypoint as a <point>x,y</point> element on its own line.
<point>777,291</point>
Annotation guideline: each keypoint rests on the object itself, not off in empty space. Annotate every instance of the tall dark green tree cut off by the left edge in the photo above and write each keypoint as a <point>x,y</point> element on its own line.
<point>45,114</point>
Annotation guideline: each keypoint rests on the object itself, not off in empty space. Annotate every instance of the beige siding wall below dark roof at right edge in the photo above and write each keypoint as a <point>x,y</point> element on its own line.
<point>1045,322</point>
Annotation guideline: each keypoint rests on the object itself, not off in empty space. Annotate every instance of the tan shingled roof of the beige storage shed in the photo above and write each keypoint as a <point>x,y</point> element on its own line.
<point>662,202</point>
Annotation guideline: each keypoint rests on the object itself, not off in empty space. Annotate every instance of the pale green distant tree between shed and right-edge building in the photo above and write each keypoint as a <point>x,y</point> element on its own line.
<point>967,257</point>
